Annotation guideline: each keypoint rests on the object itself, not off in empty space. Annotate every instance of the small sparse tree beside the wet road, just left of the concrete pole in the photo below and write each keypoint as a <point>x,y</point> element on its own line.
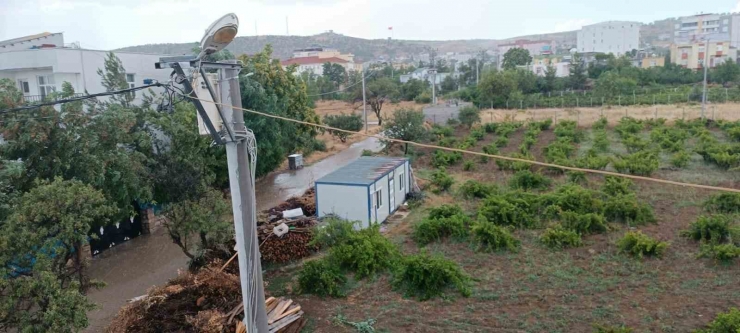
<point>206,219</point>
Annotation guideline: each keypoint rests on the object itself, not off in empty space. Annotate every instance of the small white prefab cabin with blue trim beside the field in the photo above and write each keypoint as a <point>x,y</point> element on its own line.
<point>367,190</point>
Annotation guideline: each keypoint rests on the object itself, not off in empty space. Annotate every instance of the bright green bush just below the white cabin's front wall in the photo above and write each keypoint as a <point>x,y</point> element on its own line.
<point>366,252</point>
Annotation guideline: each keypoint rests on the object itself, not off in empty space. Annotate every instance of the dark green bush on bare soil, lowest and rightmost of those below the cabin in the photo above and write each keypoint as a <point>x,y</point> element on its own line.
<point>426,276</point>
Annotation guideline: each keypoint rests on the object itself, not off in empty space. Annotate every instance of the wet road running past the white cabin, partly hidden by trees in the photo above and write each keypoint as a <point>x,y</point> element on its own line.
<point>130,269</point>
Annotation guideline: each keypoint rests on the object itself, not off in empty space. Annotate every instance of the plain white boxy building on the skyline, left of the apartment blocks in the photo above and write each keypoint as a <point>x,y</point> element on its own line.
<point>615,37</point>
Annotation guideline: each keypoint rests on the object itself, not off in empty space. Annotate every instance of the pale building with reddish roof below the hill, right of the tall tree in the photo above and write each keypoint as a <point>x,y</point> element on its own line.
<point>313,60</point>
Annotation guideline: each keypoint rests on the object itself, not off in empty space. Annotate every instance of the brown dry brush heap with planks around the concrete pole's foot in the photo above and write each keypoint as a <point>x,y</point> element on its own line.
<point>209,301</point>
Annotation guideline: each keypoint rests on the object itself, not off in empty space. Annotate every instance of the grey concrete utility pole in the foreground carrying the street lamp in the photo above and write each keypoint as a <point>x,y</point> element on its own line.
<point>243,202</point>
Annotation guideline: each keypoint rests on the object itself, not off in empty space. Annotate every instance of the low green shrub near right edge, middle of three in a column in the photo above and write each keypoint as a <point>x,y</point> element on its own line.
<point>713,229</point>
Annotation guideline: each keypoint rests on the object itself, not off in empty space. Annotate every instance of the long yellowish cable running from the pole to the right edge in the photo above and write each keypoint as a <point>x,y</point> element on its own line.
<point>501,157</point>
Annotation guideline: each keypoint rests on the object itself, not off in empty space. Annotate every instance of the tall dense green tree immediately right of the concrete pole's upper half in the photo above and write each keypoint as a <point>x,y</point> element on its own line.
<point>279,92</point>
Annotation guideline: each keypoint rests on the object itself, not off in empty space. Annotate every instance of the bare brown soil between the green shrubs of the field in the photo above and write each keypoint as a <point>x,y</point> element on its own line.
<point>543,290</point>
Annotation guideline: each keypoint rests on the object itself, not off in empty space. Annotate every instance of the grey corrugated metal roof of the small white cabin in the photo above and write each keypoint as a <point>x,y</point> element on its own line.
<point>363,171</point>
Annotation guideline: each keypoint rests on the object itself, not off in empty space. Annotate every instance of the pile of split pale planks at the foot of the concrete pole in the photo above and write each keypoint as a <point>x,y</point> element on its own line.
<point>283,316</point>
